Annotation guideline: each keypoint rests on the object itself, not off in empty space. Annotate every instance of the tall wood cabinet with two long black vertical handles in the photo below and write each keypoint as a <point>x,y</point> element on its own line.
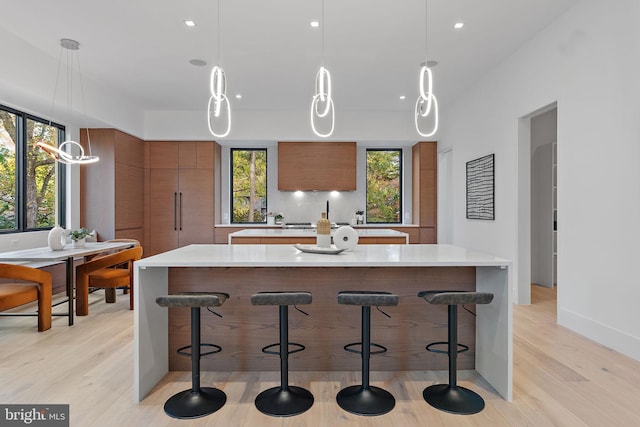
<point>179,194</point>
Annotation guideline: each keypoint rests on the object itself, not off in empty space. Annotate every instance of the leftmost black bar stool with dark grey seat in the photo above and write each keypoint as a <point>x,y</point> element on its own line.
<point>197,401</point>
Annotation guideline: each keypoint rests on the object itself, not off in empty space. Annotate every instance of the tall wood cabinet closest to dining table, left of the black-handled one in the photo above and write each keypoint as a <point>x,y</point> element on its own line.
<point>112,190</point>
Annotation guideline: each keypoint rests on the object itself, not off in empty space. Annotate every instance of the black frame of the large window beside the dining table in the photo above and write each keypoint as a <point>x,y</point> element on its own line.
<point>21,174</point>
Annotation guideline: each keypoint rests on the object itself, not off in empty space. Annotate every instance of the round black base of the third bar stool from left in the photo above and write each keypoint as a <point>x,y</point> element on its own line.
<point>365,401</point>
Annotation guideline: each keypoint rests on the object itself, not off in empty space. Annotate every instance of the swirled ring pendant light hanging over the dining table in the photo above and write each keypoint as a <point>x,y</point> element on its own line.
<point>69,152</point>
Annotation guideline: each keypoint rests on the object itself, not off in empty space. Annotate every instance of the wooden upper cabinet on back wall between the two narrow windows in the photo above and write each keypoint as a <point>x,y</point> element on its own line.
<point>317,166</point>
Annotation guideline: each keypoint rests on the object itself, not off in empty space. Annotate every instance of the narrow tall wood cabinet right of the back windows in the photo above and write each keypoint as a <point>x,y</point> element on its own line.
<point>425,190</point>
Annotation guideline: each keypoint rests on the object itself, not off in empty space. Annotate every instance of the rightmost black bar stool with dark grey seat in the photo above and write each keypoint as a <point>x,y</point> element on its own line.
<point>451,397</point>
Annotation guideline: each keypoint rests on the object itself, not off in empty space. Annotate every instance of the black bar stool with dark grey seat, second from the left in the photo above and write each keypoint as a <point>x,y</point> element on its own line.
<point>286,400</point>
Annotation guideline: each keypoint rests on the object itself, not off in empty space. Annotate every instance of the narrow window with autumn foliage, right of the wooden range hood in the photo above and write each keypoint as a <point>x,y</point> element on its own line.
<point>384,186</point>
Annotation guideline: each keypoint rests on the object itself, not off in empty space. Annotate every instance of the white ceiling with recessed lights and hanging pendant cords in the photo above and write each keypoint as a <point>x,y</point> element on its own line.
<point>270,53</point>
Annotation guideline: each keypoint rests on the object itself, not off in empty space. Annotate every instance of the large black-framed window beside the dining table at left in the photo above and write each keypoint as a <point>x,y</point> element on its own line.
<point>28,179</point>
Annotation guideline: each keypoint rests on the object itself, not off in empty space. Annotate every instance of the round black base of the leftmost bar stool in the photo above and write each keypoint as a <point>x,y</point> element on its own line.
<point>189,404</point>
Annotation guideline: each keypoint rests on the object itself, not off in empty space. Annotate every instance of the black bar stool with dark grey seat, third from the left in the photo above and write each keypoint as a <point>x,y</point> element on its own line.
<point>366,399</point>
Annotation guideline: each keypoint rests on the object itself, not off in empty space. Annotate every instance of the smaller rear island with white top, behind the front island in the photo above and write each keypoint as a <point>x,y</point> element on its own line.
<point>308,236</point>
